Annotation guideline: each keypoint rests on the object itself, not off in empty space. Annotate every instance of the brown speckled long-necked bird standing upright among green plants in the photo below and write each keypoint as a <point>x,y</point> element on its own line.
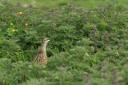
<point>41,57</point>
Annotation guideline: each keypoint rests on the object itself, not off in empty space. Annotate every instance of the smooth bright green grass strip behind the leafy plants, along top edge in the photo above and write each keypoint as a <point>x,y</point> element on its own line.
<point>83,3</point>
